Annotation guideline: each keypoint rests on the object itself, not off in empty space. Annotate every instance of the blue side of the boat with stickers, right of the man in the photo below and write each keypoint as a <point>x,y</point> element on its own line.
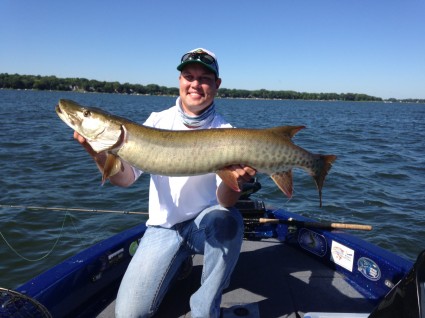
<point>370,269</point>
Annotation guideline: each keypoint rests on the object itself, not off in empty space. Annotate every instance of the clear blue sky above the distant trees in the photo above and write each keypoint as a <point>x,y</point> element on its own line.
<point>360,46</point>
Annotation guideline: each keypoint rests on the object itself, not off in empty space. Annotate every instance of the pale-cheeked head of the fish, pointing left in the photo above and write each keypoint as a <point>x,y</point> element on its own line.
<point>101,130</point>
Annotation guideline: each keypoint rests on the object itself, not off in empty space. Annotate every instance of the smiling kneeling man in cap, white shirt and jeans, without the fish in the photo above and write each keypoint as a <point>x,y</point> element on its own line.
<point>187,215</point>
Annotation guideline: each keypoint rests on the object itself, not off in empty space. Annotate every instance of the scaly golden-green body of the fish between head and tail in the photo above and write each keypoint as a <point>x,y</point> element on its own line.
<point>208,152</point>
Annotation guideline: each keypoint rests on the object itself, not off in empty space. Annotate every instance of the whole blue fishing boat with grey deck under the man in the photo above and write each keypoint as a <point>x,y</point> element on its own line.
<point>288,267</point>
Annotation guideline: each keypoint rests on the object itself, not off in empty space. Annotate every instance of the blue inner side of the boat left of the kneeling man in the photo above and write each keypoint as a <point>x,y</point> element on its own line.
<point>84,284</point>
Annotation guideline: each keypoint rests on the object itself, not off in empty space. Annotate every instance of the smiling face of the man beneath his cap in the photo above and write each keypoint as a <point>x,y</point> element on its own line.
<point>198,87</point>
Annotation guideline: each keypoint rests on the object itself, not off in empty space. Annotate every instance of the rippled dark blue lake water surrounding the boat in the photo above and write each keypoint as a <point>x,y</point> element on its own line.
<point>378,178</point>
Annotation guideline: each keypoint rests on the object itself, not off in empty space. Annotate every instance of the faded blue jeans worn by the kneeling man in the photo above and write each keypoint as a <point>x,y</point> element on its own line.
<point>216,233</point>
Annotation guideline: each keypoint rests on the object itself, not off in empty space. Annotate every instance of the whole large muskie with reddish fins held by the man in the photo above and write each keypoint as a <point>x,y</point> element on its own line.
<point>195,152</point>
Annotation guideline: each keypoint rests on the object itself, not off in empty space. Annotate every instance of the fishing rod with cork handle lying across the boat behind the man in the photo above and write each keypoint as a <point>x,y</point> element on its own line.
<point>317,225</point>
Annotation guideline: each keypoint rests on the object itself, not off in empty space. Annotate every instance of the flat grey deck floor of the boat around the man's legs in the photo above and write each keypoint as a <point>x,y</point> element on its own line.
<point>271,279</point>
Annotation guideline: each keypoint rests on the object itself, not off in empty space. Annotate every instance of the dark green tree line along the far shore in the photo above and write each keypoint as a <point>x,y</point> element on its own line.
<point>37,82</point>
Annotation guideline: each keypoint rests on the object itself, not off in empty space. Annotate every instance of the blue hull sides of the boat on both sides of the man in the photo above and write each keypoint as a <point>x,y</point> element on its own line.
<point>86,283</point>
